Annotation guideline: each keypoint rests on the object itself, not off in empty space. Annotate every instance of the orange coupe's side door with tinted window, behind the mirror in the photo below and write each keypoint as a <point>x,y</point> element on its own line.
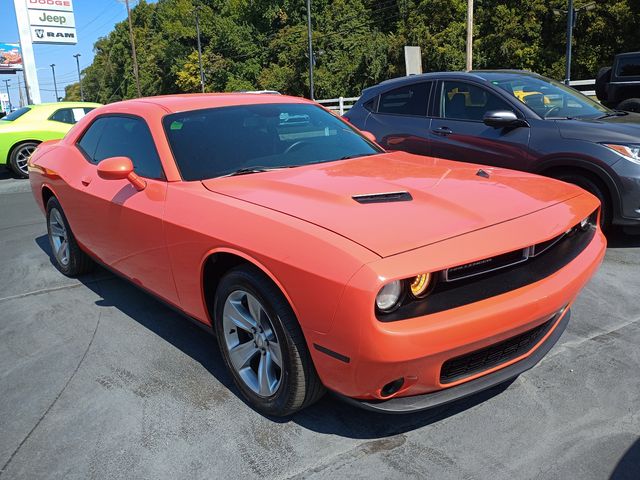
<point>126,233</point>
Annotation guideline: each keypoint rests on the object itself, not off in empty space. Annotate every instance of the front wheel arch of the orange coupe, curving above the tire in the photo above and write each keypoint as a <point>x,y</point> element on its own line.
<point>217,262</point>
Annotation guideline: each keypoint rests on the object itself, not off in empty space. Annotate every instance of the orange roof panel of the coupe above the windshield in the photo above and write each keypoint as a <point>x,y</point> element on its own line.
<point>199,101</point>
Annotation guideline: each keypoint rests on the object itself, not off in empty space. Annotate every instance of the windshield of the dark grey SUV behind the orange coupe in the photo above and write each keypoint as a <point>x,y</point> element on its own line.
<point>548,98</point>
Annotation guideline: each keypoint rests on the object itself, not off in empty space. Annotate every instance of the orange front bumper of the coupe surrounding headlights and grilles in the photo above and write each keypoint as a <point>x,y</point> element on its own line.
<point>361,355</point>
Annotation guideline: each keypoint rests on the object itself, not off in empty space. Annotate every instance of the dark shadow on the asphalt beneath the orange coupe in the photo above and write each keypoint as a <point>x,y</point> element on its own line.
<point>329,416</point>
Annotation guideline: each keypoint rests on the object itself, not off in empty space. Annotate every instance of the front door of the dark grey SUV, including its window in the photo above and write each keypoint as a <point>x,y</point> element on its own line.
<point>459,133</point>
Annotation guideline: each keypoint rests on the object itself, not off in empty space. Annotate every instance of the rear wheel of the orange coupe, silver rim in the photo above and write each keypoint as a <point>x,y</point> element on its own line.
<point>67,256</point>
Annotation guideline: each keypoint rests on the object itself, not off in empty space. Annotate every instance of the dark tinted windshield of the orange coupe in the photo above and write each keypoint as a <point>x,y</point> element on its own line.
<point>251,138</point>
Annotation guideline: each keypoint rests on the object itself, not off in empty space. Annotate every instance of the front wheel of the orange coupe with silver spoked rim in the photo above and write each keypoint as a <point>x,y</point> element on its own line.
<point>262,344</point>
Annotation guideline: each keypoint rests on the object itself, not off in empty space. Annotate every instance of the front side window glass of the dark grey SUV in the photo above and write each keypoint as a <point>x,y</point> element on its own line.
<point>464,101</point>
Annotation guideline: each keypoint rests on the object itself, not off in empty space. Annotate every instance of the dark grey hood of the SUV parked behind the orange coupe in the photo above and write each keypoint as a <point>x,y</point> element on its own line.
<point>621,129</point>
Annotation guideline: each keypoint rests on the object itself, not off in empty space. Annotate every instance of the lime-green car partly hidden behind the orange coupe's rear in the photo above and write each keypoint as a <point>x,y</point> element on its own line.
<point>22,130</point>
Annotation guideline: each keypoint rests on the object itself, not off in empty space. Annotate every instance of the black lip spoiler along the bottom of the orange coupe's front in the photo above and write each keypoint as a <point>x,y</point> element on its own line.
<point>426,401</point>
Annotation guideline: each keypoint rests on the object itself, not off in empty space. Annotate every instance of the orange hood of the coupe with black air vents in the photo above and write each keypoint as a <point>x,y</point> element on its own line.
<point>448,198</point>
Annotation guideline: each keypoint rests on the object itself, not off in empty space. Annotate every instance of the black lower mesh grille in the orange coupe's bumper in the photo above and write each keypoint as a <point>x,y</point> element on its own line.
<point>493,355</point>
